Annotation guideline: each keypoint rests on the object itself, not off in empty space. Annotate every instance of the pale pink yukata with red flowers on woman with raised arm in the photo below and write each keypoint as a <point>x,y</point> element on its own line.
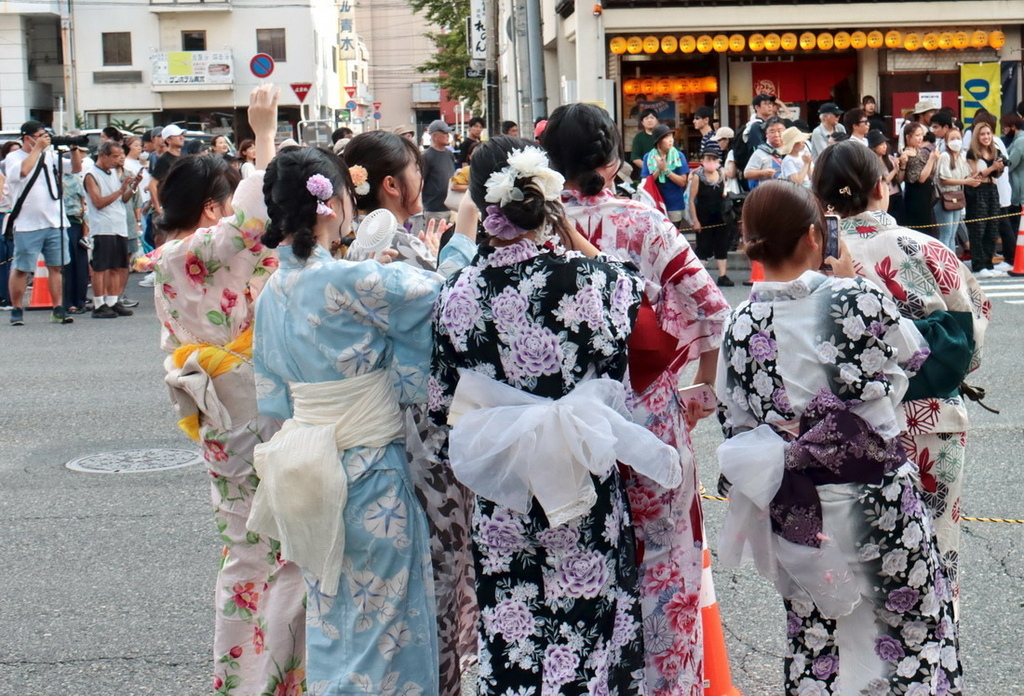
<point>206,289</point>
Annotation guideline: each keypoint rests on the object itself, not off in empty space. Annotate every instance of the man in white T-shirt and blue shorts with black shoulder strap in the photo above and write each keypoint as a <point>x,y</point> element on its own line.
<point>37,220</point>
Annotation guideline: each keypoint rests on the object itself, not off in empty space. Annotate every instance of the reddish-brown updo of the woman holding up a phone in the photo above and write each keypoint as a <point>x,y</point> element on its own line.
<point>777,215</point>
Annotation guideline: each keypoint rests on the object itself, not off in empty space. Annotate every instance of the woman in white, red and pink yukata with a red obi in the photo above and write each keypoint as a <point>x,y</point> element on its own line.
<point>680,322</point>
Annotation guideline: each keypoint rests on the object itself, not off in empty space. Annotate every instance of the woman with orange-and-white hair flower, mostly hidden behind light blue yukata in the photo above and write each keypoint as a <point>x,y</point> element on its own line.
<point>388,175</point>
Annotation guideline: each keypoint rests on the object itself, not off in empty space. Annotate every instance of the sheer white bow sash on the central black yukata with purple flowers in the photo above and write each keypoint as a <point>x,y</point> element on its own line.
<point>509,447</point>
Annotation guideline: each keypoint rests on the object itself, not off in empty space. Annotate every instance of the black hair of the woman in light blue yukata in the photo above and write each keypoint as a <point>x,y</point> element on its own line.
<point>291,208</point>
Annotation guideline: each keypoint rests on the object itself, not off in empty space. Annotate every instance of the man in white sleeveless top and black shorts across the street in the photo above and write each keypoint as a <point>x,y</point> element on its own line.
<point>108,193</point>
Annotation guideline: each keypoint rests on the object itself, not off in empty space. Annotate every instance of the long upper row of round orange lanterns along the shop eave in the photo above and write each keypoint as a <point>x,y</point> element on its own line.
<point>721,43</point>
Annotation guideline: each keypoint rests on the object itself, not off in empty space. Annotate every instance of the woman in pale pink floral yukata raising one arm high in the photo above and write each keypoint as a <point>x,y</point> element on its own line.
<point>208,276</point>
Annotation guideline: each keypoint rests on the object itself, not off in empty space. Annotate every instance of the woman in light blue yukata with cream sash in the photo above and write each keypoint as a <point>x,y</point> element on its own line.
<point>340,347</point>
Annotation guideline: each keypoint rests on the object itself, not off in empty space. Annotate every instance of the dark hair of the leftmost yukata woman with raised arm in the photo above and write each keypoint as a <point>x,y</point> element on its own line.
<point>191,183</point>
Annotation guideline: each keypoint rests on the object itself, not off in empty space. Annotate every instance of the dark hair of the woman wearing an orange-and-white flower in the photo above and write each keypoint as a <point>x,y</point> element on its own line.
<point>383,154</point>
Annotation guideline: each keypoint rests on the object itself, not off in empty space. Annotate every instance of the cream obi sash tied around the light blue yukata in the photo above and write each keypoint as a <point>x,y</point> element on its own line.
<point>304,486</point>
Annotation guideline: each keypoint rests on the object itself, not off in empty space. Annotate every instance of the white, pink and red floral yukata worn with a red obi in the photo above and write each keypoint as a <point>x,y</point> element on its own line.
<point>691,313</point>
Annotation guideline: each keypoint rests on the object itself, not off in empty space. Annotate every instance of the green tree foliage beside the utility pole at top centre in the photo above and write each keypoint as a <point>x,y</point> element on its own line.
<point>452,60</point>
